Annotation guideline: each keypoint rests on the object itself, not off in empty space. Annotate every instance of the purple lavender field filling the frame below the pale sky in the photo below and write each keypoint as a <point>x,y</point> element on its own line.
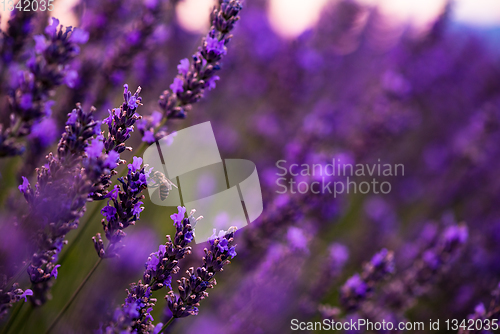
<point>357,89</point>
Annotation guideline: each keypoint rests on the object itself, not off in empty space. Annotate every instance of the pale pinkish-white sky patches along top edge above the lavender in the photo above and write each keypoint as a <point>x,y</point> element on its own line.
<point>291,17</point>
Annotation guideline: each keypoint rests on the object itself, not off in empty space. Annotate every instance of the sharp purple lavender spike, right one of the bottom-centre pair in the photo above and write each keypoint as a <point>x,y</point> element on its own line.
<point>192,289</point>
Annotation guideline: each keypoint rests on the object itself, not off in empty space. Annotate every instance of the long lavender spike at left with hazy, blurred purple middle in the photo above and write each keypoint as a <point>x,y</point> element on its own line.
<point>61,193</point>
